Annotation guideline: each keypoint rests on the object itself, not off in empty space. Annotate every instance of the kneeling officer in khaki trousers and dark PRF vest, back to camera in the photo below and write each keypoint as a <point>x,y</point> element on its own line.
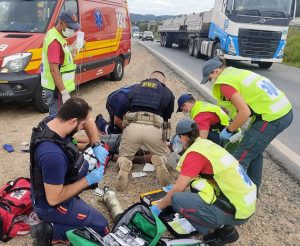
<point>152,103</point>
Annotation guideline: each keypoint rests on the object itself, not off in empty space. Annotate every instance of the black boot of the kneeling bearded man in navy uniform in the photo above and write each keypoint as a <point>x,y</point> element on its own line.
<point>41,234</point>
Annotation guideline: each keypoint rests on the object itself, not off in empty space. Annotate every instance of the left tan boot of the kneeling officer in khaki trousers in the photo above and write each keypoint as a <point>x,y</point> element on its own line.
<point>125,166</point>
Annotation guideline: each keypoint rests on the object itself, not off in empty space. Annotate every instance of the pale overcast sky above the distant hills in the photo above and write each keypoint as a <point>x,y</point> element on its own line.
<point>169,7</point>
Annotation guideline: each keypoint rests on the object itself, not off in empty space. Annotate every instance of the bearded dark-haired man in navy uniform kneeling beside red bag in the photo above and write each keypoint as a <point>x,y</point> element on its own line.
<point>58,174</point>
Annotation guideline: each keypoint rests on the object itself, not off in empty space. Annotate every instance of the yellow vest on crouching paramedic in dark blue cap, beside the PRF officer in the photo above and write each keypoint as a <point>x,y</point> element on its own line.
<point>200,107</point>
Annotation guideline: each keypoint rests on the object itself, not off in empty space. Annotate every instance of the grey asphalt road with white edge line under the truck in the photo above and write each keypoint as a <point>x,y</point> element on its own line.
<point>284,77</point>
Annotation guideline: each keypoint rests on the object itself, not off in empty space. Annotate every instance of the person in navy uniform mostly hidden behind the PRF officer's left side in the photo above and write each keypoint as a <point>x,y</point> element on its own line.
<point>117,106</point>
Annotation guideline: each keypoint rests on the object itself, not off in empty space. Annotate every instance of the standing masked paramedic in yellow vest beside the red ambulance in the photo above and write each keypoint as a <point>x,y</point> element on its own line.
<point>58,68</point>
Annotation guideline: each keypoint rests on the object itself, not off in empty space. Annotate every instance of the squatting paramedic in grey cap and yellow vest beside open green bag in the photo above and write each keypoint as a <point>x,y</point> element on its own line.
<point>222,195</point>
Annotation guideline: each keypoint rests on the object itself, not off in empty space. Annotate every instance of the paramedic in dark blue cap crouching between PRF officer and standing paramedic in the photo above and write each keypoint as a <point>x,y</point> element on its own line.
<point>211,119</point>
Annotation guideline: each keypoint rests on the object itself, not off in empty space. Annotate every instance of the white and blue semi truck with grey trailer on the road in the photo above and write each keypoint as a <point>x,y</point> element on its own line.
<point>242,30</point>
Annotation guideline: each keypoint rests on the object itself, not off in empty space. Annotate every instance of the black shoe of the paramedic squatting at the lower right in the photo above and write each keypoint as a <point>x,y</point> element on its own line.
<point>221,236</point>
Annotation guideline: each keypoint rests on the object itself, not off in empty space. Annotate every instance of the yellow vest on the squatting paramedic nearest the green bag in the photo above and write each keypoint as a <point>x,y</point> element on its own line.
<point>229,178</point>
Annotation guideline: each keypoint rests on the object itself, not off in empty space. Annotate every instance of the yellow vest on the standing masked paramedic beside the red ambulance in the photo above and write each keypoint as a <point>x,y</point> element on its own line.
<point>67,69</point>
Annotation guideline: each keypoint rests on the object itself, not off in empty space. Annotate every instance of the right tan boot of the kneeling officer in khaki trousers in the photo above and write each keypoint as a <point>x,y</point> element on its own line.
<point>162,172</point>
